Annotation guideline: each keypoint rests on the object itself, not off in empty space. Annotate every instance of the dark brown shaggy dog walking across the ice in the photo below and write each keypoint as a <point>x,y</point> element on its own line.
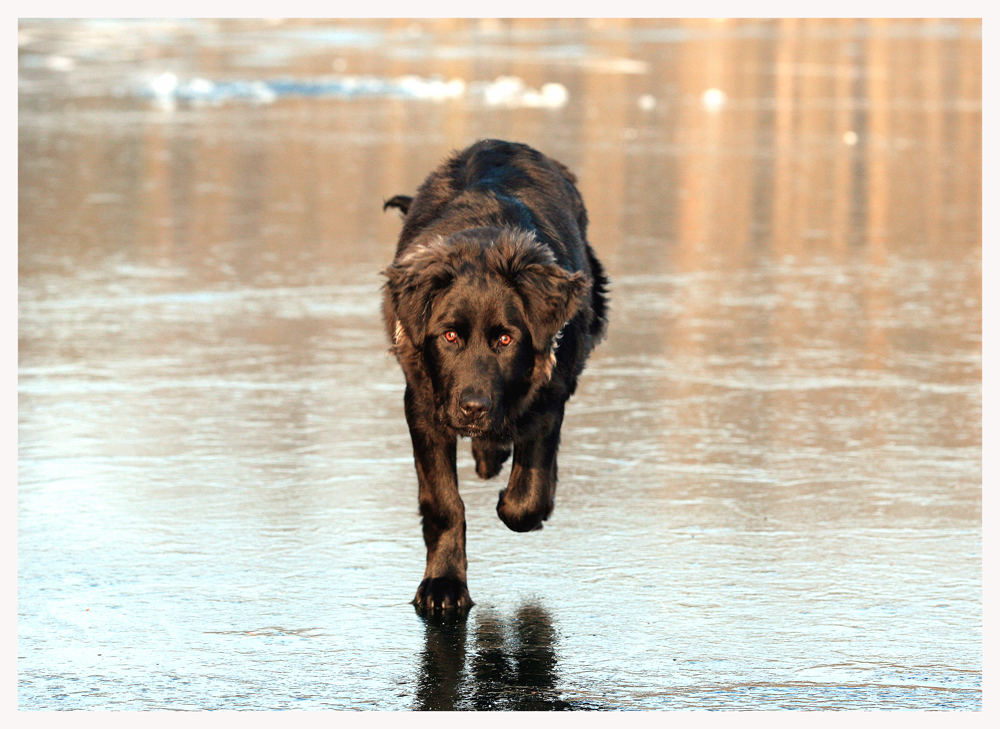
<point>492,304</point>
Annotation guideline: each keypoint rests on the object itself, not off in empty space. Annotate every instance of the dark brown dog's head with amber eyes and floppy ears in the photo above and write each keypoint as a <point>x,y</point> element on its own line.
<point>481,309</point>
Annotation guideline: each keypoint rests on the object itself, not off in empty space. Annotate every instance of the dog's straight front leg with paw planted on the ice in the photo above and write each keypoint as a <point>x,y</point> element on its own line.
<point>441,510</point>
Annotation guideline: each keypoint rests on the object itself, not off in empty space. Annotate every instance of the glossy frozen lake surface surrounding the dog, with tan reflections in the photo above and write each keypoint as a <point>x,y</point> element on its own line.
<point>770,478</point>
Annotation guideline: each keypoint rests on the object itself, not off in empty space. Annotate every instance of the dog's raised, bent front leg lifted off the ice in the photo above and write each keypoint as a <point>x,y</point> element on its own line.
<point>530,494</point>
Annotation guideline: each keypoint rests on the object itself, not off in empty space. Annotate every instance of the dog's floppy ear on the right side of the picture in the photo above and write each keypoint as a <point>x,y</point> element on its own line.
<point>551,294</point>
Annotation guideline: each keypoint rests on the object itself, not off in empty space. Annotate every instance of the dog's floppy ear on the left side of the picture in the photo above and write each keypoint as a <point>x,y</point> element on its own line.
<point>413,282</point>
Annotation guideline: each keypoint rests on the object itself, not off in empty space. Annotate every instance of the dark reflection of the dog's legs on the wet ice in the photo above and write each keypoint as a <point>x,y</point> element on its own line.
<point>509,664</point>
